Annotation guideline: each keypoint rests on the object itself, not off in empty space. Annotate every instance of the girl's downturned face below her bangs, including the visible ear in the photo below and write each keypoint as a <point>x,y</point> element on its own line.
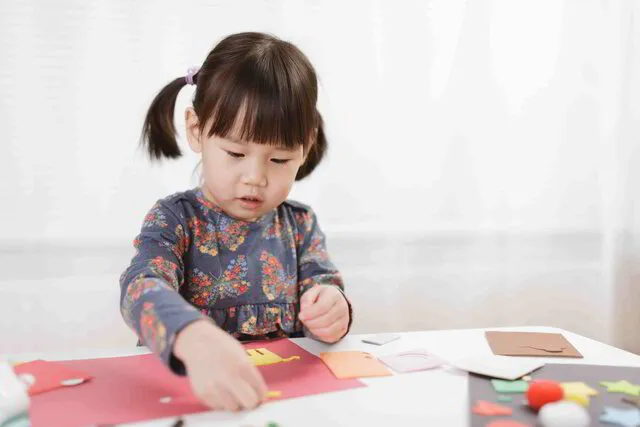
<point>245,179</point>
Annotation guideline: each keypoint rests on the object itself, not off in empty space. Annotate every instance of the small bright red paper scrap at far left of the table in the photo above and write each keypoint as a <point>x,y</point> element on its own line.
<point>48,375</point>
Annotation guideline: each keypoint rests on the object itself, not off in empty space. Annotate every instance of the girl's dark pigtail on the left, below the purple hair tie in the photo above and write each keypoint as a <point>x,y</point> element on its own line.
<point>159,132</point>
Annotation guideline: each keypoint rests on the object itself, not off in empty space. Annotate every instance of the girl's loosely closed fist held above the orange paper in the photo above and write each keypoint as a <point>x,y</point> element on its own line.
<point>325,312</point>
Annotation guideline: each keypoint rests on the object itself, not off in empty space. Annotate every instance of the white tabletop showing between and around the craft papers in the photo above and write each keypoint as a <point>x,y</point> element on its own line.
<point>431,398</point>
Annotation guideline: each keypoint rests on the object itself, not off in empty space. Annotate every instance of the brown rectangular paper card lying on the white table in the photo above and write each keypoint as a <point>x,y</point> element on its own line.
<point>530,344</point>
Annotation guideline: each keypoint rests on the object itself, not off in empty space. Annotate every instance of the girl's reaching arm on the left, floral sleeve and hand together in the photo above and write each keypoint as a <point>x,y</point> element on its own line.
<point>219,372</point>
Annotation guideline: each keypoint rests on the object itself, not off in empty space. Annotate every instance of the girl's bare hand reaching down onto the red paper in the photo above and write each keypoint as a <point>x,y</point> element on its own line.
<point>219,369</point>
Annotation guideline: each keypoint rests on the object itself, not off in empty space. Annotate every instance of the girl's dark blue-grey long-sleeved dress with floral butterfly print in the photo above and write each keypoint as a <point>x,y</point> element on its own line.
<point>192,260</point>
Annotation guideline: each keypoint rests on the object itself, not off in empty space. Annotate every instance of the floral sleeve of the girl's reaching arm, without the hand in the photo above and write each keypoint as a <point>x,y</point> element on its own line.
<point>149,302</point>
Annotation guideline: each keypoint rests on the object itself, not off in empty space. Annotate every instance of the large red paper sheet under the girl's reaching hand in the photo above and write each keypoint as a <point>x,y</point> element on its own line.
<point>129,389</point>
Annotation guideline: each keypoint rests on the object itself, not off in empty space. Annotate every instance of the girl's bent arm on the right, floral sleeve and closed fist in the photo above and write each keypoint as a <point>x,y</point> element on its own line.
<point>325,309</point>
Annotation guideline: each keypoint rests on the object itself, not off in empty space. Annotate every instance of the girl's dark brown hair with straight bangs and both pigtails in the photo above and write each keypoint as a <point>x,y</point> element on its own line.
<point>269,79</point>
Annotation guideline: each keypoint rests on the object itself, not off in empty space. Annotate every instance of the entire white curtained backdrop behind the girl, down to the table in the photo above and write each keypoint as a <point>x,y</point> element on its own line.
<point>482,170</point>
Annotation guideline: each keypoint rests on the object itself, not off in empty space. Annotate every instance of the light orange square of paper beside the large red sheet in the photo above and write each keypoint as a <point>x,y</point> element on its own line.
<point>354,364</point>
